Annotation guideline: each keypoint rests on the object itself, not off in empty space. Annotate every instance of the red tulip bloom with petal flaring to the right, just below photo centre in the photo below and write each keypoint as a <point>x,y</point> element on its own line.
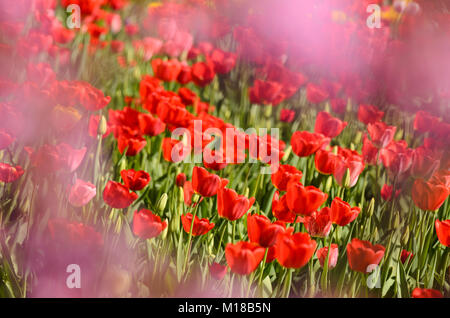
<point>231,205</point>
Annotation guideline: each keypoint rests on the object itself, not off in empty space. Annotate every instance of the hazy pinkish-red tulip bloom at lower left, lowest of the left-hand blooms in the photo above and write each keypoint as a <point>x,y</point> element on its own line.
<point>147,225</point>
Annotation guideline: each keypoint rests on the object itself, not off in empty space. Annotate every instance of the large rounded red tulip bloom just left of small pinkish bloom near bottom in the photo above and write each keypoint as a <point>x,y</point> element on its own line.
<point>294,250</point>
